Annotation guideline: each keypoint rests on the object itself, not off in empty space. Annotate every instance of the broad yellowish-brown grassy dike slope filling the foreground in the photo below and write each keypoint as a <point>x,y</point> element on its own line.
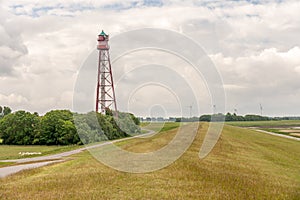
<point>243,165</point>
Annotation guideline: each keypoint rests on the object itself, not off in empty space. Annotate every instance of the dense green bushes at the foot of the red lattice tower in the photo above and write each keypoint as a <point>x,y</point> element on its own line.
<point>62,127</point>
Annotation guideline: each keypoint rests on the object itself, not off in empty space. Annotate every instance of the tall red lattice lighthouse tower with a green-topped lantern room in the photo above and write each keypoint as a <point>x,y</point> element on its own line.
<point>105,98</point>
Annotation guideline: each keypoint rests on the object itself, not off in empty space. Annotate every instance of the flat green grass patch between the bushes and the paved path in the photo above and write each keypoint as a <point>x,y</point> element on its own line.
<point>12,151</point>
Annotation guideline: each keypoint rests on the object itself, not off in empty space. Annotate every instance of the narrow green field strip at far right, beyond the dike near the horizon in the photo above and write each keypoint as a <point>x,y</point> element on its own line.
<point>282,123</point>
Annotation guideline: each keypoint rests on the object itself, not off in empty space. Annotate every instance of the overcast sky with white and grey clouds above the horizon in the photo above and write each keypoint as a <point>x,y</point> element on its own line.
<point>254,45</point>
